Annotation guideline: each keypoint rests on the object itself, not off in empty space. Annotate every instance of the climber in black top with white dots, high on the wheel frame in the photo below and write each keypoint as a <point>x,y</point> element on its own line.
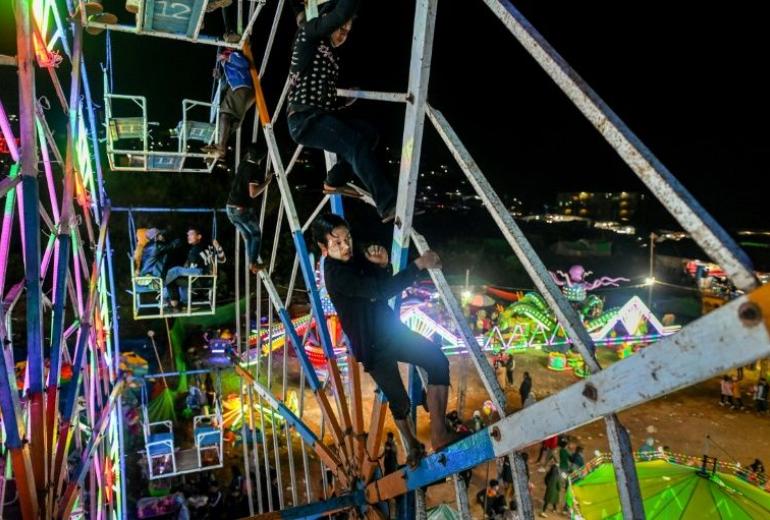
<point>314,115</point>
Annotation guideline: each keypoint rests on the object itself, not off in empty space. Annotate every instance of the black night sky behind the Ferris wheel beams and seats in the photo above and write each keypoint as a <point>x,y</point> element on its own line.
<point>685,79</point>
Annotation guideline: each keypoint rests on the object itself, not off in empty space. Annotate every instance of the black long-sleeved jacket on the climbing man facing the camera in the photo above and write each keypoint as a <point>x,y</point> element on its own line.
<point>360,292</point>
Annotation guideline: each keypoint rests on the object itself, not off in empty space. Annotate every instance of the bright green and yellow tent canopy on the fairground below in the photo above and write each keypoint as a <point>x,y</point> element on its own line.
<point>671,492</point>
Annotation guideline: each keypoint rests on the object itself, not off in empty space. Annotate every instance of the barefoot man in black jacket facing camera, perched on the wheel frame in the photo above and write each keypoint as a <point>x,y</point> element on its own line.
<point>360,287</point>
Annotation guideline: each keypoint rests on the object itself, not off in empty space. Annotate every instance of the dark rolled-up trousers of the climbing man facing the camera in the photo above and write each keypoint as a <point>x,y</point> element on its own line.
<point>408,347</point>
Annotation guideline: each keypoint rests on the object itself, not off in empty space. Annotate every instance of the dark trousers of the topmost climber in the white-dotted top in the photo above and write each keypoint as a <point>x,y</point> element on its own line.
<point>354,142</point>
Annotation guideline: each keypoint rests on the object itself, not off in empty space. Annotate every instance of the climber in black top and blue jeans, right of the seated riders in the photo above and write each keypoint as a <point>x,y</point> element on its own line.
<point>248,184</point>
